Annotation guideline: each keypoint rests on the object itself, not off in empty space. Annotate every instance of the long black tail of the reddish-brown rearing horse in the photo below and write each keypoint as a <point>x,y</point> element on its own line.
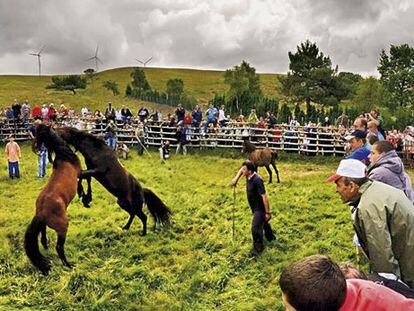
<point>31,245</point>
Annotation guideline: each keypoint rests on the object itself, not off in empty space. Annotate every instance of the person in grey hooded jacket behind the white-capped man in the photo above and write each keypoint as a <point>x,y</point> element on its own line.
<point>387,167</point>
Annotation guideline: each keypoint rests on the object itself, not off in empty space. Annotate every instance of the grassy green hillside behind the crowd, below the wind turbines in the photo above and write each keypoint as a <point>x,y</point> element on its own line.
<point>198,83</point>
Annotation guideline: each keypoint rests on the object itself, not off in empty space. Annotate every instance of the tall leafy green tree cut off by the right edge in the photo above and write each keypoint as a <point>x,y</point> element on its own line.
<point>397,74</point>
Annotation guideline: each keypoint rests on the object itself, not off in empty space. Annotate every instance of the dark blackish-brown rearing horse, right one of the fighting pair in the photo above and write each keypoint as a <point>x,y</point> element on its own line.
<point>103,164</point>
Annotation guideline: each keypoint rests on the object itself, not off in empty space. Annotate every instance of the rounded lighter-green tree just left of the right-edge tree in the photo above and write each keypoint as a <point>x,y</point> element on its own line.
<point>368,94</point>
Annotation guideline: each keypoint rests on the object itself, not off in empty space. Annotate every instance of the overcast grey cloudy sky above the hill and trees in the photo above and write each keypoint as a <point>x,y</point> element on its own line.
<point>211,34</point>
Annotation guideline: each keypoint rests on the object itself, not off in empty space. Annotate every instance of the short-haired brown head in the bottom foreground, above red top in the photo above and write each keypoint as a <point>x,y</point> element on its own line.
<point>313,283</point>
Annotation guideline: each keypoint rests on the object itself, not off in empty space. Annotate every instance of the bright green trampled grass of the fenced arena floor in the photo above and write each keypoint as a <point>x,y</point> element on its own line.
<point>195,265</point>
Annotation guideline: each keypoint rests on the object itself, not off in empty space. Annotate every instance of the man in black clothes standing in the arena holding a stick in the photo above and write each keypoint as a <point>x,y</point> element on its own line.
<point>259,203</point>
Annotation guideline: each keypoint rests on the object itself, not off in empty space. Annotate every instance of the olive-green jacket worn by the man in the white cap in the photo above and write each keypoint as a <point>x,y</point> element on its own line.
<point>384,223</point>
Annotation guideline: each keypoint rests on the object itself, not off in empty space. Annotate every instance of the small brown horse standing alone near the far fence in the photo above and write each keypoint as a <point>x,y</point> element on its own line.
<point>261,157</point>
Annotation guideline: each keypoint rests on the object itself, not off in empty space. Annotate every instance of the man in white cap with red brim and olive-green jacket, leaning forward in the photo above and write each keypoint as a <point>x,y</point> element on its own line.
<point>382,217</point>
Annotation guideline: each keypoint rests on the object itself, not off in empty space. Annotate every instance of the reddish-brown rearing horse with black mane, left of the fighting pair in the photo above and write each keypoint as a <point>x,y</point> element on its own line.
<point>53,200</point>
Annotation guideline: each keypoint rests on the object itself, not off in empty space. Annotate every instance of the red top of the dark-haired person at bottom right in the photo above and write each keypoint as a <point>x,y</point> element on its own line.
<point>369,296</point>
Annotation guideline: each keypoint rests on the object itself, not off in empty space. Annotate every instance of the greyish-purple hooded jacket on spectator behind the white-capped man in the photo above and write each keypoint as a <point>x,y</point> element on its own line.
<point>389,169</point>
